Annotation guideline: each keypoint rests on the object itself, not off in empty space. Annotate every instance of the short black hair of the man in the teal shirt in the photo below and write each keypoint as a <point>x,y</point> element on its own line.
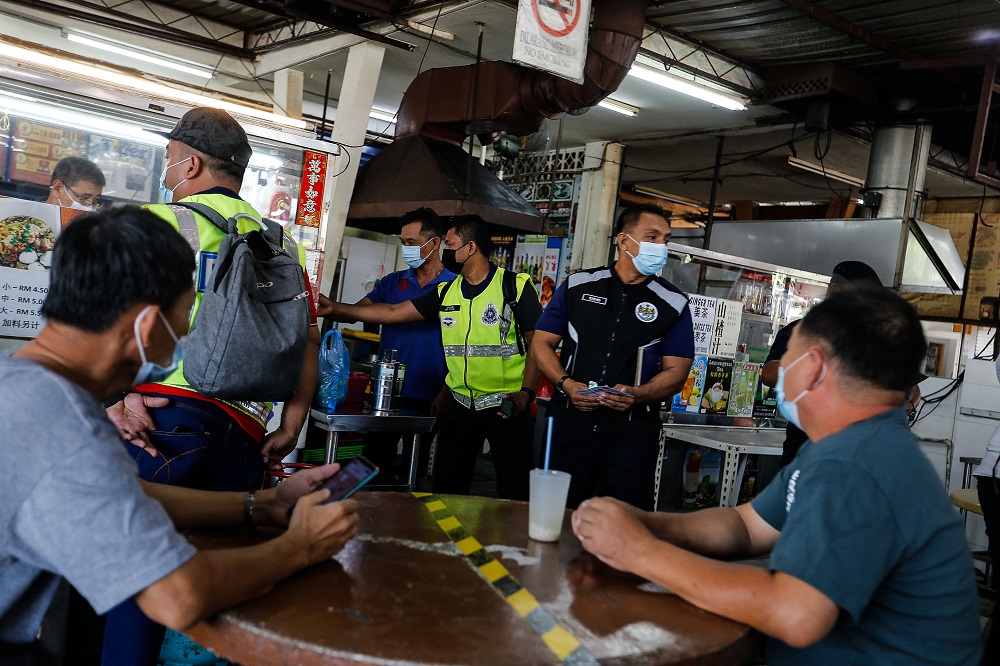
<point>873,333</point>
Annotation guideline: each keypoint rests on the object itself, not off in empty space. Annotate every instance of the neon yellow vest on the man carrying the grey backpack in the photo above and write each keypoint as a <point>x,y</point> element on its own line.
<point>208,239</point>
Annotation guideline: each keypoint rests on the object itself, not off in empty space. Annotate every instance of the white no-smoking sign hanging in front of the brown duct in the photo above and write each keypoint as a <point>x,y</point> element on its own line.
<point>551,35</point>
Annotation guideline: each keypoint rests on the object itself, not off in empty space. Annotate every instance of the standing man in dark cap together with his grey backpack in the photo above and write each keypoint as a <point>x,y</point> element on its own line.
<point>201,422</point>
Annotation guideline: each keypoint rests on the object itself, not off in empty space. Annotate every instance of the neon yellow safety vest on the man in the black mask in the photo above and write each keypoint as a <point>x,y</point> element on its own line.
<point>480,345</point>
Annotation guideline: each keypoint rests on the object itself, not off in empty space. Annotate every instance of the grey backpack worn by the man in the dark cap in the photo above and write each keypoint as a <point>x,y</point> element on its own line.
<point>249,338</point>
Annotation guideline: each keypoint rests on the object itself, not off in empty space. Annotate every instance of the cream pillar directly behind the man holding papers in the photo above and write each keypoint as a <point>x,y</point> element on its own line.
<point>596,216</point>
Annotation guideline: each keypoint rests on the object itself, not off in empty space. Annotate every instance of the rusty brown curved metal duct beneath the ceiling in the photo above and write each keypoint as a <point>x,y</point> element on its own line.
<point>517,99</point>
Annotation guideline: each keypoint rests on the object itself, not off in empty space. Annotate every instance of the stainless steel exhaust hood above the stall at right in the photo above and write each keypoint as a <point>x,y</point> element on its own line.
<point>909,256</point>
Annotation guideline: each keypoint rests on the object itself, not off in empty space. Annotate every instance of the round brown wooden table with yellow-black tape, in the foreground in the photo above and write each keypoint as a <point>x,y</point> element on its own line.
<point>402,594</point>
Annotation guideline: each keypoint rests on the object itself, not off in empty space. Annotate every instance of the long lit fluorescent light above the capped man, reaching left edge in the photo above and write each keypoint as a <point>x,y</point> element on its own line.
<point>19,54</point>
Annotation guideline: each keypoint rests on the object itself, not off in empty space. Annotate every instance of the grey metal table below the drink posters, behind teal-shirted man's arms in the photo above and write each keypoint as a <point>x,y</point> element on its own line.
<point>735,444</point>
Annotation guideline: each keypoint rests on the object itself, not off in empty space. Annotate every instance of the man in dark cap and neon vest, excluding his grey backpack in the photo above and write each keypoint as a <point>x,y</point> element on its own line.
<point>184,438</point>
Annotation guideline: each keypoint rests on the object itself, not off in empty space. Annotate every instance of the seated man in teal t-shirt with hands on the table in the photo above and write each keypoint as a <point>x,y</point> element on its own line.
<point>869,563</point>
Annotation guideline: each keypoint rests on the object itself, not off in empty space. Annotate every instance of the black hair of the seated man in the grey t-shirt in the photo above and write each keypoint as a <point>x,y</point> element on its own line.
<point>104,263</point>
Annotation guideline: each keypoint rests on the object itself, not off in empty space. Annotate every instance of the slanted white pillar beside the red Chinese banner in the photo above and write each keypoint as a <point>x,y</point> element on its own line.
<point>357,92</point>
